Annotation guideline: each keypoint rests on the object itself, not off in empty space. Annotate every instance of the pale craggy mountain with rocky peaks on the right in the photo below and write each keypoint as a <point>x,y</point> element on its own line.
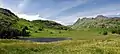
<point>111,24</point>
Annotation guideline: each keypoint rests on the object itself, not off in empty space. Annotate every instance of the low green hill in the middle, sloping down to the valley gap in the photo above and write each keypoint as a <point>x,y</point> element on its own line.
<point>49,24</point>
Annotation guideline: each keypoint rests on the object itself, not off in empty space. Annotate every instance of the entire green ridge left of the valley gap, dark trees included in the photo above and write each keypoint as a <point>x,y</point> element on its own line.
<point>11,26</point>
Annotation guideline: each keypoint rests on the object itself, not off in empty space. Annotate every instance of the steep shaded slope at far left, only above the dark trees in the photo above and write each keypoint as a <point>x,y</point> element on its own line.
<point>7,18</point>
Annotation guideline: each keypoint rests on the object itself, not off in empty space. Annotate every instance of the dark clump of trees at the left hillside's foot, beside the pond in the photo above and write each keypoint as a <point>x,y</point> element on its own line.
<point>11,32</point>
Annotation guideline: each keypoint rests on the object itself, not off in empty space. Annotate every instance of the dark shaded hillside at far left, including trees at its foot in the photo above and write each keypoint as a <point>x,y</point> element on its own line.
<point>8,20</point>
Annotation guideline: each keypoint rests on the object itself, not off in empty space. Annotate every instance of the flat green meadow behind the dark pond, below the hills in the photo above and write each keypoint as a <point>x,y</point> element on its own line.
<point>74,34</point>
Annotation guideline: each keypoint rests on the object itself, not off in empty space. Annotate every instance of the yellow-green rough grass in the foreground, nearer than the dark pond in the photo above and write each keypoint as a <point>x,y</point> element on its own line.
<point>103,46</point>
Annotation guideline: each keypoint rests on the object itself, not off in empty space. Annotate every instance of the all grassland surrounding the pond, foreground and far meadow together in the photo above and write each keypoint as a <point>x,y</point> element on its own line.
<point>84,42</point>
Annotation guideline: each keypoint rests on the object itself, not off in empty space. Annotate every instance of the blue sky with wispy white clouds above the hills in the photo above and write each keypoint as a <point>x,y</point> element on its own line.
<point>65,12</point>
